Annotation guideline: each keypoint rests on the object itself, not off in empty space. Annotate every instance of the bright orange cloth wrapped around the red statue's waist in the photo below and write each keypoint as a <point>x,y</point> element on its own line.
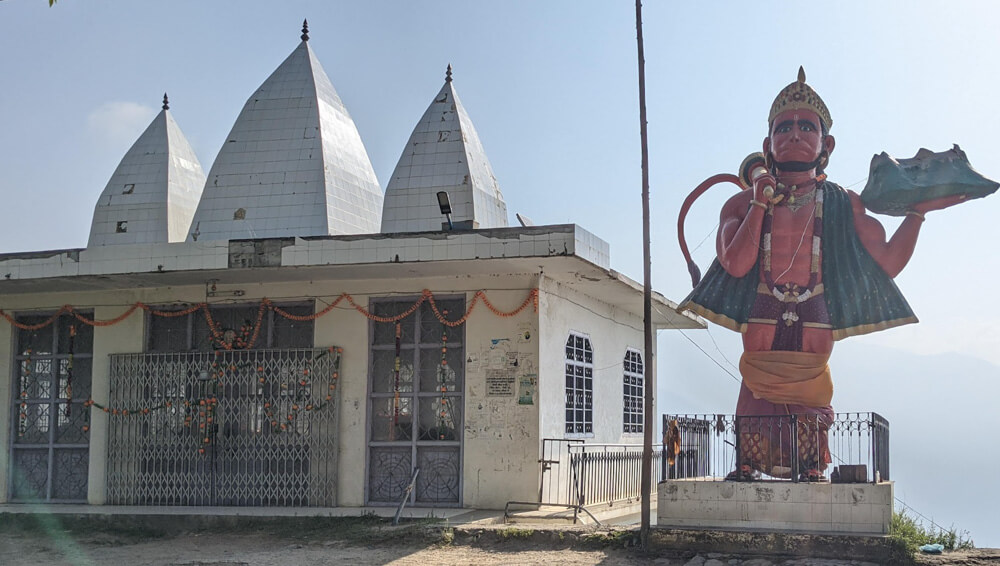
<point>782,377</point>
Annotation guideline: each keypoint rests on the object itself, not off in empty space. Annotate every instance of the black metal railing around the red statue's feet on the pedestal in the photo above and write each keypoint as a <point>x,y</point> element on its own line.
<point>847,448</point>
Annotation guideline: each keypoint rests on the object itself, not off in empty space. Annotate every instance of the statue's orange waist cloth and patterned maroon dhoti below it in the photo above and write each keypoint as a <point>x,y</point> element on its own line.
<point>776,386</point>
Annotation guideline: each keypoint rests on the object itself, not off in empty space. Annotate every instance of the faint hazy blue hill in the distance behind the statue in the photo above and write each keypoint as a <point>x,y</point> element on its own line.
<point>944,424</point>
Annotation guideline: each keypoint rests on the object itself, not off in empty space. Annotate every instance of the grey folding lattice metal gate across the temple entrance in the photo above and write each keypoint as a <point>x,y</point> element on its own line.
<point>230,428</point>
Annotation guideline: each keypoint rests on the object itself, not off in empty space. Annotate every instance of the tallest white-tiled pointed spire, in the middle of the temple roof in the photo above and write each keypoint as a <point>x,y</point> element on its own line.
<point>293,164</point>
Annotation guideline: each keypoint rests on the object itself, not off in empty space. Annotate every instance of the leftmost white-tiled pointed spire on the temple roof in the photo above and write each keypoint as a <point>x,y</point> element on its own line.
<point>152,195</point>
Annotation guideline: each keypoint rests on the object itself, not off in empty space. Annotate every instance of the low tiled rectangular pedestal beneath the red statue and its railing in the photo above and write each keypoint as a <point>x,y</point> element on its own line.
<point>818,508</point>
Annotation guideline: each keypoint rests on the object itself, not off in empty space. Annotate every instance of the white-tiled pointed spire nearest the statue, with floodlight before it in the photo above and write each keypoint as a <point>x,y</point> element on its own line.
<point>443,154</point>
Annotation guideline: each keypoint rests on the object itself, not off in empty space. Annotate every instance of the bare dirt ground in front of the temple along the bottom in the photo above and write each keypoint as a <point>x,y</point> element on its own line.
<point>347,544</point>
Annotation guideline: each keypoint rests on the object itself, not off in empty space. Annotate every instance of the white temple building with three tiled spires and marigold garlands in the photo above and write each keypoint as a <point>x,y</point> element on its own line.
<point>274,334</point>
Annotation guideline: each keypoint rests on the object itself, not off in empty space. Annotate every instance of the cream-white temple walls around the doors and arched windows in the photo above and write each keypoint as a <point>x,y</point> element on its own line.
<point>501,439</point>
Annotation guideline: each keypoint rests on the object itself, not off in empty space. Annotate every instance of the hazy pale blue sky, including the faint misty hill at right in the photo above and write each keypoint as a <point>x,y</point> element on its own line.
<point>551,88</point>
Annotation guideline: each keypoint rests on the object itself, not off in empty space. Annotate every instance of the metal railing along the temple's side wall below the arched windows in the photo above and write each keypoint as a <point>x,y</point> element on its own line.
<point>607,473</point>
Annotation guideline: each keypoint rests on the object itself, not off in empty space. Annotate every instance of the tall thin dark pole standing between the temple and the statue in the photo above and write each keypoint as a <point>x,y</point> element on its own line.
<point>647,320</point>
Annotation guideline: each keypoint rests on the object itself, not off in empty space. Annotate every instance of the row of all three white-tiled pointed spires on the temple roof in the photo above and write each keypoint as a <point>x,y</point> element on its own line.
<point>294,164</point>
